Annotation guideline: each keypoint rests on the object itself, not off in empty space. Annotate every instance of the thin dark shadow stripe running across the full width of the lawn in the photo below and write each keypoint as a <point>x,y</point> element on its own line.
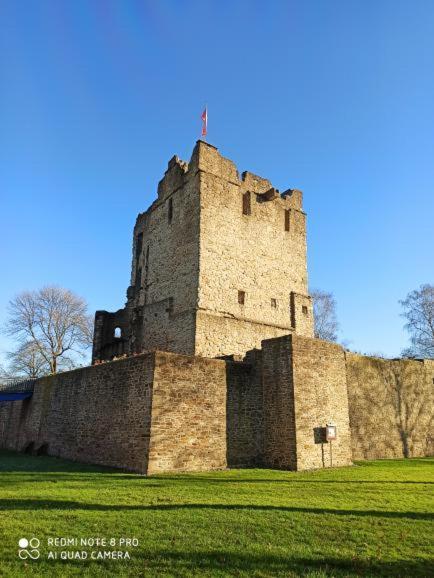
<point>11,504</point>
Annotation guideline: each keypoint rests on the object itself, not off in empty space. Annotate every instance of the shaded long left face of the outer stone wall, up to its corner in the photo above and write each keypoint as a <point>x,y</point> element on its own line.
<point>98,414</point>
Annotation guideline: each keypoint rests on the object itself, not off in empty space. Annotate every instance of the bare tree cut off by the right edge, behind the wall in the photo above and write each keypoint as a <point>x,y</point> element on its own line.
<point>419,312</point>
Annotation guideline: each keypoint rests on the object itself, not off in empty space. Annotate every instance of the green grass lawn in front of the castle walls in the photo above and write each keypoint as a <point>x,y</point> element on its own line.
<point>373,519</point>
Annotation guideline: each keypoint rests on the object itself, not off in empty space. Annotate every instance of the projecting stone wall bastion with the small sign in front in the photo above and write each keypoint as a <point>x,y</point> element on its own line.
<point>304,389</point>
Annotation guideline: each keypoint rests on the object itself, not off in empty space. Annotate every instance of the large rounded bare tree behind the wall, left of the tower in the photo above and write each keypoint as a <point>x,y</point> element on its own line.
<point>50,324</point>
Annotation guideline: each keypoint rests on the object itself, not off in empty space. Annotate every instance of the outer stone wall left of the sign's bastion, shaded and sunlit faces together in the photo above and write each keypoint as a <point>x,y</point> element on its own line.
<point>149,413</point>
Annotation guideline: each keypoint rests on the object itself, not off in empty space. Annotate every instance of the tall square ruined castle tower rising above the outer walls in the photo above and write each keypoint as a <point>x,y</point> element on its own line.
<point>219,264</point>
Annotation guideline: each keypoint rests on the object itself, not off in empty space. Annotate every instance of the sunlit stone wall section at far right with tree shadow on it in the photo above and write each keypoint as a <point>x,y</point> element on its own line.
<point>391,406</point>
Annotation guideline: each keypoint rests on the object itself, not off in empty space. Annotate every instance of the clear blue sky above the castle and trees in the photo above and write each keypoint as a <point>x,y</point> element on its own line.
<point>335,98</point>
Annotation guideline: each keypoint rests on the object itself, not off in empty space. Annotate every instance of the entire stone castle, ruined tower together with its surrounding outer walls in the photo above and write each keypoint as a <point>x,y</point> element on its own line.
<point>212,362</point>
